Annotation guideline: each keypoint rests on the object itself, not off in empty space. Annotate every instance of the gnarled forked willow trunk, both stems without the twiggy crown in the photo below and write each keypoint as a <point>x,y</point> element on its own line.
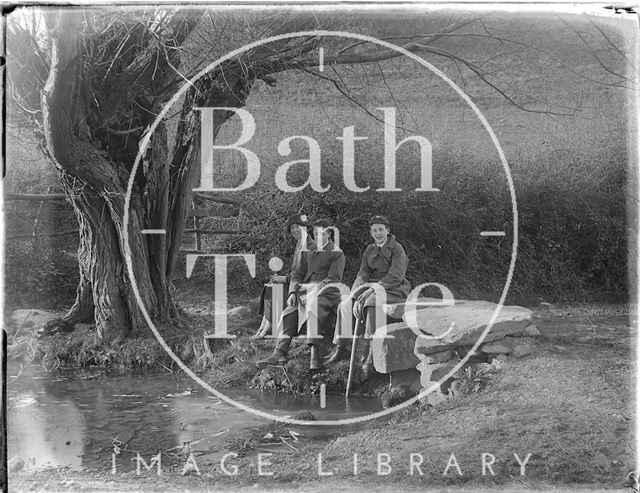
<point>96,183</point>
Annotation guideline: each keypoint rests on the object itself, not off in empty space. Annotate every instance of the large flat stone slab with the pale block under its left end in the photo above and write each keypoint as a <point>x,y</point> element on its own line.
<point>443,327</point>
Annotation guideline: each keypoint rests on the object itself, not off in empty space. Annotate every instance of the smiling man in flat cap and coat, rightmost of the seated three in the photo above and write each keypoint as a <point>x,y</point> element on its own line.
<point>384,262</point>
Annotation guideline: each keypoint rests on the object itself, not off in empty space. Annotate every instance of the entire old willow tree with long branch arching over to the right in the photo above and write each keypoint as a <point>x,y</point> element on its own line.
<point>91,82</point>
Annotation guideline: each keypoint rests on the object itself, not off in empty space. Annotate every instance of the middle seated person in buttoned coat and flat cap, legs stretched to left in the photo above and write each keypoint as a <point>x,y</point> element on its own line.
<point>309,299</point>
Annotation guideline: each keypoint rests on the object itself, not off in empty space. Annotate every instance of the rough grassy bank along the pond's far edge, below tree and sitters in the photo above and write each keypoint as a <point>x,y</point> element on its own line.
<point>228,363</point>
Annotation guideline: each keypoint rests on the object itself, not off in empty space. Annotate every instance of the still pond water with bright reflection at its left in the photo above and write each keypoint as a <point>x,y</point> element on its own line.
<point>73,422</point>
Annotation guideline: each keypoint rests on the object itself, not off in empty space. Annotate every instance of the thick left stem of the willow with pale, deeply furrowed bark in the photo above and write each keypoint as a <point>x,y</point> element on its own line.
<point>97,193</point>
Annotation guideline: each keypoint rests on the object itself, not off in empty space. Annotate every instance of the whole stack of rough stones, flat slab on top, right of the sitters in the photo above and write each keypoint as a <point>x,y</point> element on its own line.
<point>426,348</point>
